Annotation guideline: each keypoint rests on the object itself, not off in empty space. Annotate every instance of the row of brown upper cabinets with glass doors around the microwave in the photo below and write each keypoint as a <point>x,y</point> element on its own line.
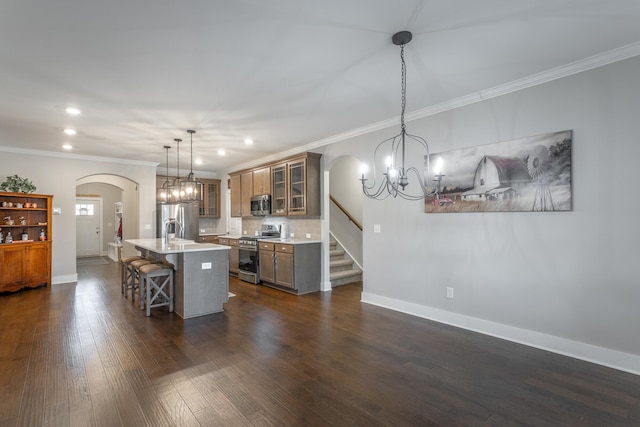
<point>294,185</point>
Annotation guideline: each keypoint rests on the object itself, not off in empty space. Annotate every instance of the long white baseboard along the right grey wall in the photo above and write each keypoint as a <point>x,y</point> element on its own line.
<point>603,356</point>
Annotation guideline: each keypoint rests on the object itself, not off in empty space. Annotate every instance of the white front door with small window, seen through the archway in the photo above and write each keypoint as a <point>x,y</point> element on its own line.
<point>88,226</point>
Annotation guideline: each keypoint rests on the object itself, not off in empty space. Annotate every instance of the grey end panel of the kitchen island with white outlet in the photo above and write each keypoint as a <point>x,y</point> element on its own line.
<point>200,291</point>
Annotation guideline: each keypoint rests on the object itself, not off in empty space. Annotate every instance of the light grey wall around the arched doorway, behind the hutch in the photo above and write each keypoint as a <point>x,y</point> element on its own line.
<point>57,175</point>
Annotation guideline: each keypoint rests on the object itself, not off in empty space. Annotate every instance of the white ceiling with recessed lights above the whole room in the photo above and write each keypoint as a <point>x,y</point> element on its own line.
<point>285,72</point>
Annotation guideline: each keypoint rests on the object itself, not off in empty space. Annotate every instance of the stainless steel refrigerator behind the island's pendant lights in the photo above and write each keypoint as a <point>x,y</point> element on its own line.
<point>186,213</point>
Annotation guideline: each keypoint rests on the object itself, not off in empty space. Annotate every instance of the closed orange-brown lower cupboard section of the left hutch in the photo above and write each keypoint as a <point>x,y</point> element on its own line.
<point>24,265</point>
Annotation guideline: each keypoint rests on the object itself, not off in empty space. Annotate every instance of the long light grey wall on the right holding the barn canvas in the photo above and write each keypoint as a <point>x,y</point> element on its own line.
<point>566,281</point>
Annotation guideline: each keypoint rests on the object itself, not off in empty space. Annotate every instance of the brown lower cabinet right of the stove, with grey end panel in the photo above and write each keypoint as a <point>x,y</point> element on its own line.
<point>291,267</point>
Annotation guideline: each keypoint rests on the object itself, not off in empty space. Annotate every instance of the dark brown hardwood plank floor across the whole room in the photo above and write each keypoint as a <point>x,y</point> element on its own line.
<point>81,355</point>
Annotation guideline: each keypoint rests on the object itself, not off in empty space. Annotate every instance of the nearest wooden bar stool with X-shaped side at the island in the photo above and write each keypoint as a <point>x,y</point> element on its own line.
<point>156,286</point>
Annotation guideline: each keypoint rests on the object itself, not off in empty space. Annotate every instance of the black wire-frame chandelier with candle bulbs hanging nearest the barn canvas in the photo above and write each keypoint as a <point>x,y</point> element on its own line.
<point>397,171</point>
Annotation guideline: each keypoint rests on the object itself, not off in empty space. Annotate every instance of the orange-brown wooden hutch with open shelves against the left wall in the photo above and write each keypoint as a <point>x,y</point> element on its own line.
<point>25,263</point>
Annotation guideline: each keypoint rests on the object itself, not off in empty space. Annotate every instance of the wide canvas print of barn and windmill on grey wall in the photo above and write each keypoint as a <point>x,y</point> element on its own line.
<point>523,175</point>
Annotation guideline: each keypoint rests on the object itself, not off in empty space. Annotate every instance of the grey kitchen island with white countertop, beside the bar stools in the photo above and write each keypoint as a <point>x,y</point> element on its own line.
<point>201,281</point>
